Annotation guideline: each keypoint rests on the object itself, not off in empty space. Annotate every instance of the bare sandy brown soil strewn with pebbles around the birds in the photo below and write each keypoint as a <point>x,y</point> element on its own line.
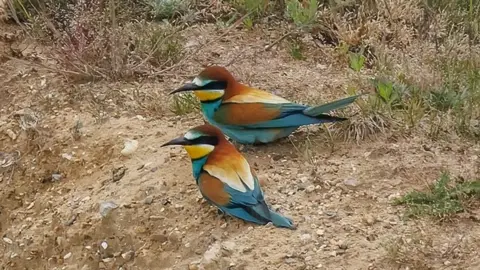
<point>341,198</point>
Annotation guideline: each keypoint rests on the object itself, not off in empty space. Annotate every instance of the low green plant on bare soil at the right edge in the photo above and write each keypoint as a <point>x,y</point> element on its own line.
<point>442,200</point>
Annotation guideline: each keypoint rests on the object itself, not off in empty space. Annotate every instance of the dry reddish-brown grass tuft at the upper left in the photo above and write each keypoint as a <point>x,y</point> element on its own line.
<point>103,39</point>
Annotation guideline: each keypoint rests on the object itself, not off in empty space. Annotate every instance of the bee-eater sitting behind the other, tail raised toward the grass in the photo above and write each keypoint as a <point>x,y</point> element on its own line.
<point>252,116</point>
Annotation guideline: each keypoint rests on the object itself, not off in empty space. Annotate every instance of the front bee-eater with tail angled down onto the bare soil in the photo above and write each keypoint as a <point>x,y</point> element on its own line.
<point>225,178</point>
